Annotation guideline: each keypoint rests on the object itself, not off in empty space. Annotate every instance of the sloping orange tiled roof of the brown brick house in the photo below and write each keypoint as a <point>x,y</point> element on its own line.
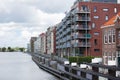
<point>111,21</point>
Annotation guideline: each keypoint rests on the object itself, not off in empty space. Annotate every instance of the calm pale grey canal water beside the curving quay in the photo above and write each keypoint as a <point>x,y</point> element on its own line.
<point>19,66</point>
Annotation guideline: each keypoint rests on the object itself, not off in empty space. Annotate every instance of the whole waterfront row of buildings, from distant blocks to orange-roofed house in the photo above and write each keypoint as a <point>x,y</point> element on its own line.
<point>90,28</point>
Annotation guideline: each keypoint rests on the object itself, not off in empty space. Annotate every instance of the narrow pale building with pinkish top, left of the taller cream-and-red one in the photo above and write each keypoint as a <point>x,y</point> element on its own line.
<point>42,43</point>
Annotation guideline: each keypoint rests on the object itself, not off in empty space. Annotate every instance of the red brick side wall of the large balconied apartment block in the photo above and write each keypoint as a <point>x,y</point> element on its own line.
<point>99,20</point>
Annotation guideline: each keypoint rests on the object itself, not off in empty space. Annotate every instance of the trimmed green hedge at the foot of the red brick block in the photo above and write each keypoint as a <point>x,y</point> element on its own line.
<point>80,60</point>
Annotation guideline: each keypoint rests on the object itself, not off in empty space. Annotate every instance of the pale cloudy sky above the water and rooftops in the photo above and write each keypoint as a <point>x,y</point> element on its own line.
<point>22,19</point>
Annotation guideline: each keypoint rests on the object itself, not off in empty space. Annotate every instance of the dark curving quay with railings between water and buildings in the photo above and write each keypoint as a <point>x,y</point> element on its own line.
<point>87,71</point>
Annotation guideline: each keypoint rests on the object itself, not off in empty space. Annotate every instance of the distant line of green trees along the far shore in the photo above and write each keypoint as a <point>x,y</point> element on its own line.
<point>10,49</point>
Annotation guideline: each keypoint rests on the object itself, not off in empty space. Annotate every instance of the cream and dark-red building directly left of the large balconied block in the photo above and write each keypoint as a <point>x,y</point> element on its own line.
<point>51,40</point>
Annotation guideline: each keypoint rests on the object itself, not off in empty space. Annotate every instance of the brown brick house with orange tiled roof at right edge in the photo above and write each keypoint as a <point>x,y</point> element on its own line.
<point>111,40</point>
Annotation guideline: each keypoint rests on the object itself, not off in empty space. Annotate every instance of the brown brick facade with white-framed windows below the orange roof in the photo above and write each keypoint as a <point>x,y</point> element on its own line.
<point>109,44</point>
